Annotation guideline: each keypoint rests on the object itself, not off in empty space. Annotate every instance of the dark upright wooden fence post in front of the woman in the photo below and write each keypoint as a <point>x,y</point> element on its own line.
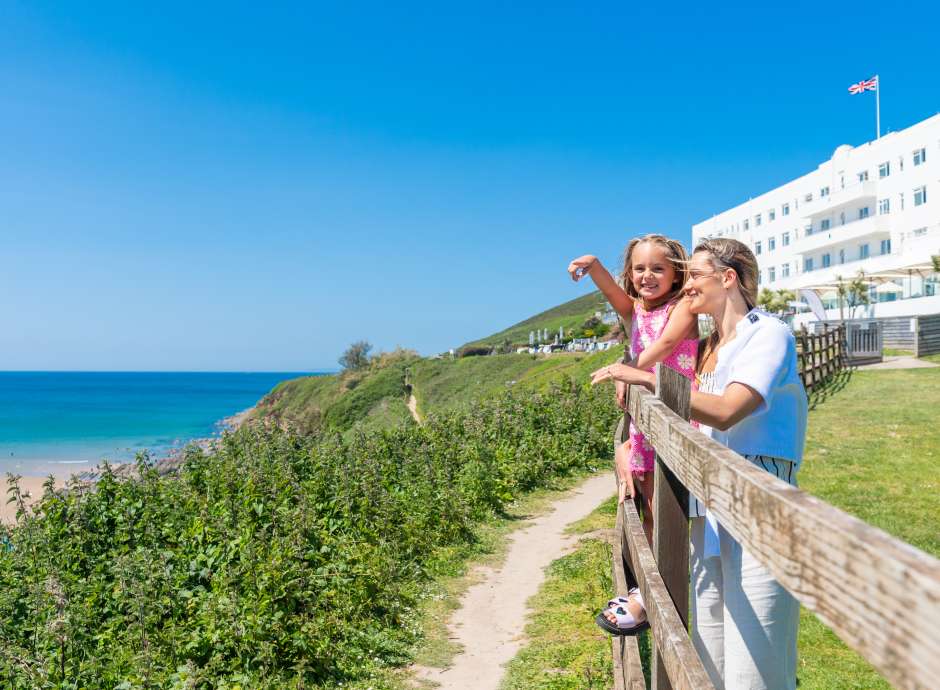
<point>670,515</point>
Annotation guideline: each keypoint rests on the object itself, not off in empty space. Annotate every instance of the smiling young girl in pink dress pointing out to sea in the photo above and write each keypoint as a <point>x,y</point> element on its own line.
<point>663,330</point>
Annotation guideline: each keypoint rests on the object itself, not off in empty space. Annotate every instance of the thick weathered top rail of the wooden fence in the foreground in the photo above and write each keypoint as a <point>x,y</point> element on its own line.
<point>837,566</point>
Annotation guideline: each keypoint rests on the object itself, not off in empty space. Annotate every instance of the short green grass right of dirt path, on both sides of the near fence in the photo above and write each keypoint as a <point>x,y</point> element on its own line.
<point>872,450</point>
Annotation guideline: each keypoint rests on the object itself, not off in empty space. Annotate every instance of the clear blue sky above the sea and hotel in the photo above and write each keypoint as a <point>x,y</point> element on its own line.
<point>236,186</point>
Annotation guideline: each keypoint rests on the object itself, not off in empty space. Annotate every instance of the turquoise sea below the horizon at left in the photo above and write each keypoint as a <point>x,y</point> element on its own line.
<point>65,422</point>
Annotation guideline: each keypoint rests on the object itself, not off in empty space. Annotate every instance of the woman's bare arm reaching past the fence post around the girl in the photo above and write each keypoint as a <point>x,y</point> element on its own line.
<point>717,411</point>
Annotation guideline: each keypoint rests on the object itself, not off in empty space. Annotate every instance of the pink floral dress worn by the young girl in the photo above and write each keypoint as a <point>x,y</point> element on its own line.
<point>648,326</point>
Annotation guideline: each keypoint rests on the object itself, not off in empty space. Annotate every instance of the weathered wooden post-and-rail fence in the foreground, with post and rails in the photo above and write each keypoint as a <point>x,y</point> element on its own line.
<point>878,594</point>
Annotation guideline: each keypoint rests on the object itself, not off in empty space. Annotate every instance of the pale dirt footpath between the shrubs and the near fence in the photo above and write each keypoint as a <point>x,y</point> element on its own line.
<point>489,623</point>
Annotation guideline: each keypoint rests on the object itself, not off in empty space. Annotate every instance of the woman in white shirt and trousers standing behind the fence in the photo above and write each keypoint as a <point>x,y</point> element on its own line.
<point>749,398</point>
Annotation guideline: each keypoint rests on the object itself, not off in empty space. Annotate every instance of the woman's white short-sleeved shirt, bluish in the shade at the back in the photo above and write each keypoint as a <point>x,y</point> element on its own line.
<point>762,356</point>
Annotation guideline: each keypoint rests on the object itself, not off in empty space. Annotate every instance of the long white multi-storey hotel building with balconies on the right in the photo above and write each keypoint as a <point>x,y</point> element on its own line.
<point>873,208</point>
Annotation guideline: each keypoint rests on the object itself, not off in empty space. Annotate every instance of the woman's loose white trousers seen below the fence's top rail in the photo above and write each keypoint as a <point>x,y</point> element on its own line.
<point>744,624</point>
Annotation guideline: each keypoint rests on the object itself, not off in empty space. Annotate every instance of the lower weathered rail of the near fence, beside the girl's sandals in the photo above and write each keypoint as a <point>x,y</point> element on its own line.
<point>682,663</point>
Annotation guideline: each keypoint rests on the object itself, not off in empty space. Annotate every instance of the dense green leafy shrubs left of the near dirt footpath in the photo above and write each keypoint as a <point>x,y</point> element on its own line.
<point>277,561</point>
